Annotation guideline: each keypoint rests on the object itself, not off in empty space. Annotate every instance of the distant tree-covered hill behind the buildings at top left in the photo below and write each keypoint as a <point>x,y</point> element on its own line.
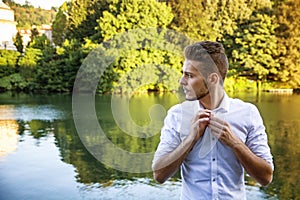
<point>27,15</point>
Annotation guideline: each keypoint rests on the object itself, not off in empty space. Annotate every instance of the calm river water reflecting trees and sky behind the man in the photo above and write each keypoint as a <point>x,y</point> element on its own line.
<point>44,154</point>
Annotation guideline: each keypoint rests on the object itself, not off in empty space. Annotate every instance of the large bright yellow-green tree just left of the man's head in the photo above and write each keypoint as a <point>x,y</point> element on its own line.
<point>143,55</point>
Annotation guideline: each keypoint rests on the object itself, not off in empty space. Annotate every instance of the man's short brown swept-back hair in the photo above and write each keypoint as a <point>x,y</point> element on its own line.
<point>211,54</point>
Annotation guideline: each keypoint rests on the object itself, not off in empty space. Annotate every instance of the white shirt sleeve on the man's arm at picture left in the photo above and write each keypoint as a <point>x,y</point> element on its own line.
<point>170,136</point>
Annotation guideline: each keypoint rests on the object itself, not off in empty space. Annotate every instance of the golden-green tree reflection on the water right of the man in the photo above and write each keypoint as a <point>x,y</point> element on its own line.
<point>281,114</point>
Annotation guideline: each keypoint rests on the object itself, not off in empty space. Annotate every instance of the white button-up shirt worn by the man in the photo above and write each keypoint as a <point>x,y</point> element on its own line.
<point>211,170</point>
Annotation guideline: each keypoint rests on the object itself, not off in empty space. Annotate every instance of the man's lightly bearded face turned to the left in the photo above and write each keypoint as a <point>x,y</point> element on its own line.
<point>192,81</point>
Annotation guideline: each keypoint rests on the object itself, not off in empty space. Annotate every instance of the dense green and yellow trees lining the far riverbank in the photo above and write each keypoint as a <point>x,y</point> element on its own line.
<point>135,45</point>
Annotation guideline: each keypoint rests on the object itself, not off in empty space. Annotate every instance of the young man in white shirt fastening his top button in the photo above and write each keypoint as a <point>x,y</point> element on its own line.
<point>212,137</point>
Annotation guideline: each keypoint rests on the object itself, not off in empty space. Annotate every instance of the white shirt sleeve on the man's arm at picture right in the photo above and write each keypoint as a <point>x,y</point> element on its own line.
<point>257,139</point>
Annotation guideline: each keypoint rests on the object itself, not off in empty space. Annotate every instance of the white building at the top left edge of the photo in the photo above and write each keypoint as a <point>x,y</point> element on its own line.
<point>8,28</point>
